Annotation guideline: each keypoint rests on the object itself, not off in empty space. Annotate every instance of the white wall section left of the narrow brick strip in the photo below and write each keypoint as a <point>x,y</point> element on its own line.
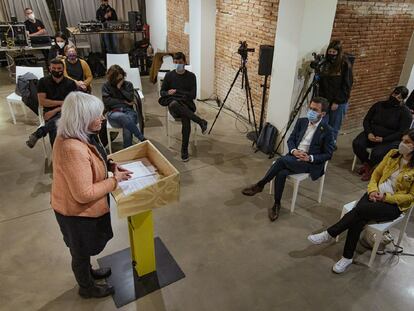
<point>157,19</point>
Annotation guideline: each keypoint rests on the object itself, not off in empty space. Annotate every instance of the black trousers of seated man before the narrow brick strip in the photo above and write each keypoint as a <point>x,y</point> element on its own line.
<point>181,111</point>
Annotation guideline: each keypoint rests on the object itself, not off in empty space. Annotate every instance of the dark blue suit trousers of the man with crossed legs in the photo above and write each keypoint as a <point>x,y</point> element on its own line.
<point>281,169</point>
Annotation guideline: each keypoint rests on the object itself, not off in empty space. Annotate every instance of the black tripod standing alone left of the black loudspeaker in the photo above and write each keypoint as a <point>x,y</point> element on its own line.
<point>249,101</point>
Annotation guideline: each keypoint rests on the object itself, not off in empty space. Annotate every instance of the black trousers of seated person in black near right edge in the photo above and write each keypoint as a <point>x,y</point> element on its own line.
<point>379,150</point>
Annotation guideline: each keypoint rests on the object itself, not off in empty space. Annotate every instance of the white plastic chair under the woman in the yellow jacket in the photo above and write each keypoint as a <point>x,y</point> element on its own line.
<point>380,228</point>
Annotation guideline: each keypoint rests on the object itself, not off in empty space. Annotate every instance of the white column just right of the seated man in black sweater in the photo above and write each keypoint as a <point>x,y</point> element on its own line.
<point>202,44</point>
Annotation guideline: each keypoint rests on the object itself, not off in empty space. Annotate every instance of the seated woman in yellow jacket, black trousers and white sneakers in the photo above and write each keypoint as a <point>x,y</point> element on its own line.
<point>390,193</point>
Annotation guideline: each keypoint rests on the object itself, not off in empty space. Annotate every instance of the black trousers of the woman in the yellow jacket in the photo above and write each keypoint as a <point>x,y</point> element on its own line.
<point>356,219</point>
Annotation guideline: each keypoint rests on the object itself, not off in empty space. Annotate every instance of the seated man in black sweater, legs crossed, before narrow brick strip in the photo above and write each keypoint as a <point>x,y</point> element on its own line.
<point>178,91</point>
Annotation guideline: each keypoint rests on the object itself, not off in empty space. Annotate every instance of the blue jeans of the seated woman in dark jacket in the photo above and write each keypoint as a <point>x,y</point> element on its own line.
<point>127,120</point>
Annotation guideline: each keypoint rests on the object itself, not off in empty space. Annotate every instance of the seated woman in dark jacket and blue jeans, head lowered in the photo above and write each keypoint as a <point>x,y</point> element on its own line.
<point>119,99</point>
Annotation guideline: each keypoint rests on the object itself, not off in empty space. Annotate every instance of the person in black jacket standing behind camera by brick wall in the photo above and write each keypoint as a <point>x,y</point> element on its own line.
<point>335,85</point>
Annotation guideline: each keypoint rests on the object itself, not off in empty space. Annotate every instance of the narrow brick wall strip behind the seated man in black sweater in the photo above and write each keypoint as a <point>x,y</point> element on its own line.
<point>177,16</point>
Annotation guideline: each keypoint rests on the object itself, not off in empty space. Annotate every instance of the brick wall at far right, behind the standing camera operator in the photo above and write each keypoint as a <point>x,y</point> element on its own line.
<point>378,34</point>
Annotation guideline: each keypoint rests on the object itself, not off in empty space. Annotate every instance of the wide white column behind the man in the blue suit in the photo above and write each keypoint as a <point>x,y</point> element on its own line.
<point>303,27</point>
